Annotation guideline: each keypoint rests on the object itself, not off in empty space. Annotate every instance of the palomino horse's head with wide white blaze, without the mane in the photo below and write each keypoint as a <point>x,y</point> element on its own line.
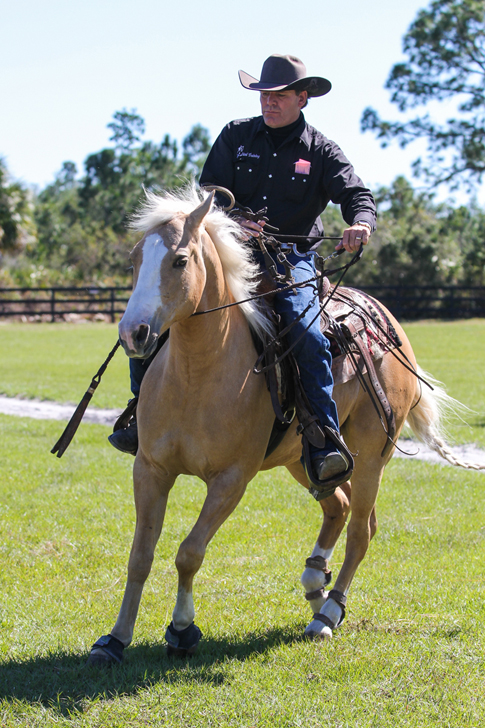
<point>168,280</point>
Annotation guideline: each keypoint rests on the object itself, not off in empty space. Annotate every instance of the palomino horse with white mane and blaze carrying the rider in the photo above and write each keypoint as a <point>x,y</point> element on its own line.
<point>203,412</point>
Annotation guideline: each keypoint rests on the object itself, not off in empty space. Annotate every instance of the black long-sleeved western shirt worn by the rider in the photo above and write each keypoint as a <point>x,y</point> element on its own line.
<point>295,180</point>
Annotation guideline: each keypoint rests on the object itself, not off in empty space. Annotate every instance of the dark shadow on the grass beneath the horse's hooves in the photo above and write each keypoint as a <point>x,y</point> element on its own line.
<point>64,683</point>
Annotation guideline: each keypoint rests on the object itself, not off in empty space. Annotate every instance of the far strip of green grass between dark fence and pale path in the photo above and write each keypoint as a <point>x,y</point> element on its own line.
<point>56,362</point>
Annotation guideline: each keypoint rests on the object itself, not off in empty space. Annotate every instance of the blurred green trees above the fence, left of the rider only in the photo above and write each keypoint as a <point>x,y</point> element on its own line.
<point>75,231</point>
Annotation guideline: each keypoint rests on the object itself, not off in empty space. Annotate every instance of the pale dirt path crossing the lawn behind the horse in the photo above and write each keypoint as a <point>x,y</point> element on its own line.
<point>53,411</point>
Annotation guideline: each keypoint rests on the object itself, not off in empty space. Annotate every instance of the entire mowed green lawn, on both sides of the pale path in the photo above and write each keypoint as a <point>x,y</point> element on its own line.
<point>410,653</point>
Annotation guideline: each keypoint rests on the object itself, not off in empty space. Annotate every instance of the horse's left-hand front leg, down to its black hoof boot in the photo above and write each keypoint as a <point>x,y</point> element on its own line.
<point>151,490</point>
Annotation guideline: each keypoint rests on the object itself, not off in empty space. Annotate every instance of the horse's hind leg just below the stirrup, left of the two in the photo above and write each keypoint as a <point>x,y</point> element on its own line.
<point>317,574</point>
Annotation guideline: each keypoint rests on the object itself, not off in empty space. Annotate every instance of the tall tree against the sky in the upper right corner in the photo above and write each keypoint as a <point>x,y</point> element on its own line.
<point>445,48</point>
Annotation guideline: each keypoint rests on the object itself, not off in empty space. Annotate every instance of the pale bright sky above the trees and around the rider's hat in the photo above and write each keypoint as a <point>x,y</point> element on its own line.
<point>66,67</point>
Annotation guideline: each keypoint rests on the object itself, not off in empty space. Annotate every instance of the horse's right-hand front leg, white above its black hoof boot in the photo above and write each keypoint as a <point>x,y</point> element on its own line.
<point>224,492</point>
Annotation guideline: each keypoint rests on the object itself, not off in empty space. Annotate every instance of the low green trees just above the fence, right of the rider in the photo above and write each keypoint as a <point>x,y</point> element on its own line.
<point>418,242</point>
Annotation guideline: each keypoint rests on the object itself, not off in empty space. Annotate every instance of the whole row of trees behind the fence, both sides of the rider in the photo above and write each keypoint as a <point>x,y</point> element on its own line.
<point>74,232</point>
